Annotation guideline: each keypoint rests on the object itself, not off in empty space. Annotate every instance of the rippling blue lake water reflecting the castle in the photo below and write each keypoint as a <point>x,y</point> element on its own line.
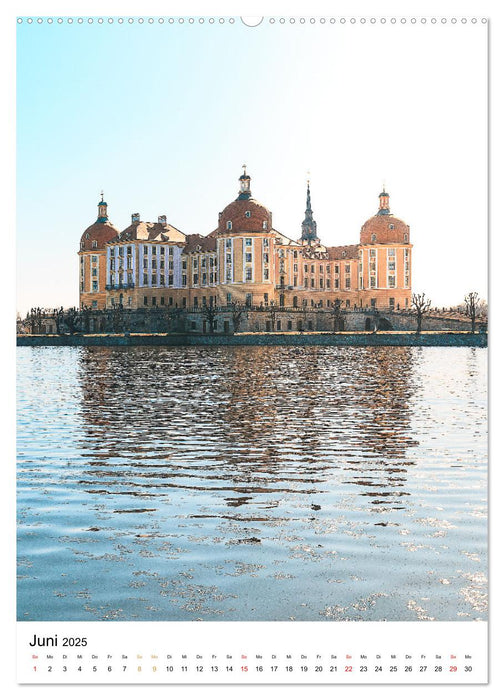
<point>241,483</point>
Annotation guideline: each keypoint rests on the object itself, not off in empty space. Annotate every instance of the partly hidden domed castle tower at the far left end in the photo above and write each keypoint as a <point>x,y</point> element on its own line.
<point>92,259</point>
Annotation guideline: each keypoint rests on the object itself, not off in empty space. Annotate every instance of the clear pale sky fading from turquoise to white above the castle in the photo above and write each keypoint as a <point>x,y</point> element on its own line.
<point>162,116</point>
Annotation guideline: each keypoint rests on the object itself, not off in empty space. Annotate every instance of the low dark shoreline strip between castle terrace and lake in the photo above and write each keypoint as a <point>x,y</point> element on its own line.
<point>350,339</point>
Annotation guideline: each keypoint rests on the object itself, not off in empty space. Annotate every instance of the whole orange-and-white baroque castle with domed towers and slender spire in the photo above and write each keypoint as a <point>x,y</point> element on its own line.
<point>244,261</point>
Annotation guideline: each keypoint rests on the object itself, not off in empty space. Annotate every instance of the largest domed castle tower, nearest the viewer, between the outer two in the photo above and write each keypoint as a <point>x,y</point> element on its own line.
<point>245,249</point>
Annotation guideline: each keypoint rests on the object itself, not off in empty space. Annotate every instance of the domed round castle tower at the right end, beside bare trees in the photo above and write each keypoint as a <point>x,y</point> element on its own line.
<point>385,259</point>
